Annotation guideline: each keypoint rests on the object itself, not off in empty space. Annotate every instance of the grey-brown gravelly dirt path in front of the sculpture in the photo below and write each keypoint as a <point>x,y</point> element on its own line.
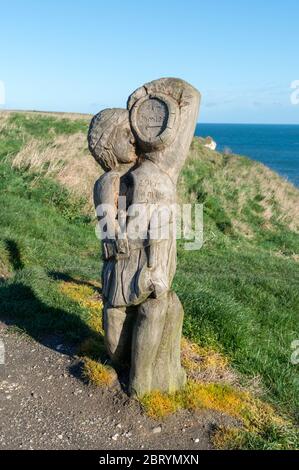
<point>45,405</point>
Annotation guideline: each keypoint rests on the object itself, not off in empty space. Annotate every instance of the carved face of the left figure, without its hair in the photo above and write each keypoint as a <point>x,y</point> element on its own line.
<point>123,144</point>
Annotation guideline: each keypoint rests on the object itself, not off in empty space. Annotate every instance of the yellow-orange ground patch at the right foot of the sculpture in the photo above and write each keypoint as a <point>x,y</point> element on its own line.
<point>213,385</point>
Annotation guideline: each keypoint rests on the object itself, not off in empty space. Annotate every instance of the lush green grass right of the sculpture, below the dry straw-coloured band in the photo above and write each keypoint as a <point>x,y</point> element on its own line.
<point>248,306</point>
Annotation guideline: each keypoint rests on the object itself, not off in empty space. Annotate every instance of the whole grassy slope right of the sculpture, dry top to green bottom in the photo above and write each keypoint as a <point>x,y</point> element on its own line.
<point>241,290</point>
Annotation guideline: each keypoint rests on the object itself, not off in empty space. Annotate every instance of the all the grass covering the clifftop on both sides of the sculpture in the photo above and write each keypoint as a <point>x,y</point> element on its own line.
<point>240,291</point>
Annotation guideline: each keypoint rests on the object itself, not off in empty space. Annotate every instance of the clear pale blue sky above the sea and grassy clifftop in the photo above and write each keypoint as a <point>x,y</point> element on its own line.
<point>83,56</point>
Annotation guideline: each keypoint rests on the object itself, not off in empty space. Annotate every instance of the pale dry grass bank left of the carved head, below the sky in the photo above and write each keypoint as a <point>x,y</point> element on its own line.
<point>51,146</point>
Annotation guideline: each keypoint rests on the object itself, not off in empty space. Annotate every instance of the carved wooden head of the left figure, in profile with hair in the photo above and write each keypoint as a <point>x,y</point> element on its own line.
<point>110,139</point>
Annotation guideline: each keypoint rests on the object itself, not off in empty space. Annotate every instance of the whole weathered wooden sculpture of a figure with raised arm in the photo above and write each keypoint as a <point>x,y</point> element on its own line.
<point>142,149</point>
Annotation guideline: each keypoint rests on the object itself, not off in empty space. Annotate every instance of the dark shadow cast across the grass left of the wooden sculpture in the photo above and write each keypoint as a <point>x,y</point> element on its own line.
<point>23,311</point>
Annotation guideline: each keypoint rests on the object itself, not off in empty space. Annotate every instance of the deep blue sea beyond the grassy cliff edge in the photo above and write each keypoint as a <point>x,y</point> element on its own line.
<point>277,146</point>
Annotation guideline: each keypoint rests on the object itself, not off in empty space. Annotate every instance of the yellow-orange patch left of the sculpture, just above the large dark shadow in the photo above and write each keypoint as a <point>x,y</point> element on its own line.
<point>87,295</point>
